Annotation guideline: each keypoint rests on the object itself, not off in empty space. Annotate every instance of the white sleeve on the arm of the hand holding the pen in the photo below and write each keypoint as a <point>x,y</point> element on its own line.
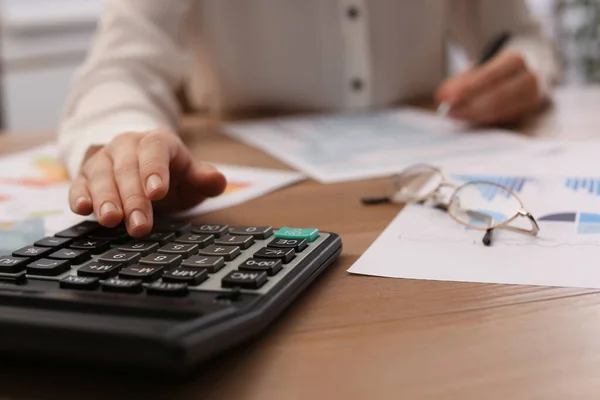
<point>475,23</point>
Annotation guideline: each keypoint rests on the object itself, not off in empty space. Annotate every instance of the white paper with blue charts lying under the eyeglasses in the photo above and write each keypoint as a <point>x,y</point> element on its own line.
<point>426,243</point>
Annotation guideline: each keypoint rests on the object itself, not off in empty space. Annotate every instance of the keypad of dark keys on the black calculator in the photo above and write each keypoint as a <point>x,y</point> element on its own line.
<point>176,259</point>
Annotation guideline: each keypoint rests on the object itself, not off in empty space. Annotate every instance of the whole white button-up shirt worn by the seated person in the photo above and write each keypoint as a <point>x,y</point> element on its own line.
<point>321,55</point>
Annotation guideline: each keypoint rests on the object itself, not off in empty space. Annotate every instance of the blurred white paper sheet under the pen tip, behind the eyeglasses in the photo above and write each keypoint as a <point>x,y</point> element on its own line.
<point>333,148</point>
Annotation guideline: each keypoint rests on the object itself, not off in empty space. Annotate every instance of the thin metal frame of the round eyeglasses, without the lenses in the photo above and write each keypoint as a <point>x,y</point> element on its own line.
<point>521,212</point>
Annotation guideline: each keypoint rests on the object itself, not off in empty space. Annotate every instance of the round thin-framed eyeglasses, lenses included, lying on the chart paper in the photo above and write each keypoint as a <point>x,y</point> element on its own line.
<point>479,205</point>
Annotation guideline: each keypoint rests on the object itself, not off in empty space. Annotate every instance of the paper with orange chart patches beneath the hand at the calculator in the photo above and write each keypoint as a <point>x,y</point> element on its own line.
<point>34,194</point>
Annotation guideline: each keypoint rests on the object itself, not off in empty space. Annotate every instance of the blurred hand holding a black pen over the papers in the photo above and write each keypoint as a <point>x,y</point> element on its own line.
<point>499,89</point>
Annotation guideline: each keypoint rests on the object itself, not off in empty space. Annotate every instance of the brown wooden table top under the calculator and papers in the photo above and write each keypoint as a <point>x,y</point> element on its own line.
<point>358,337</point>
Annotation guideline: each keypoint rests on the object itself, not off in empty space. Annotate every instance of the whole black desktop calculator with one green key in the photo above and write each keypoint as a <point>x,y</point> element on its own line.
<point>166,302</point>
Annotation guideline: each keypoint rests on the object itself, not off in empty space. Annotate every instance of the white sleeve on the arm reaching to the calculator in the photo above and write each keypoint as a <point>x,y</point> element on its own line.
<point>128,81</point>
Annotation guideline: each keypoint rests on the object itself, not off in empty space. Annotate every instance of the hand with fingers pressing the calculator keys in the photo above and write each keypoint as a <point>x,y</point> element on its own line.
<point>137,174</point>
